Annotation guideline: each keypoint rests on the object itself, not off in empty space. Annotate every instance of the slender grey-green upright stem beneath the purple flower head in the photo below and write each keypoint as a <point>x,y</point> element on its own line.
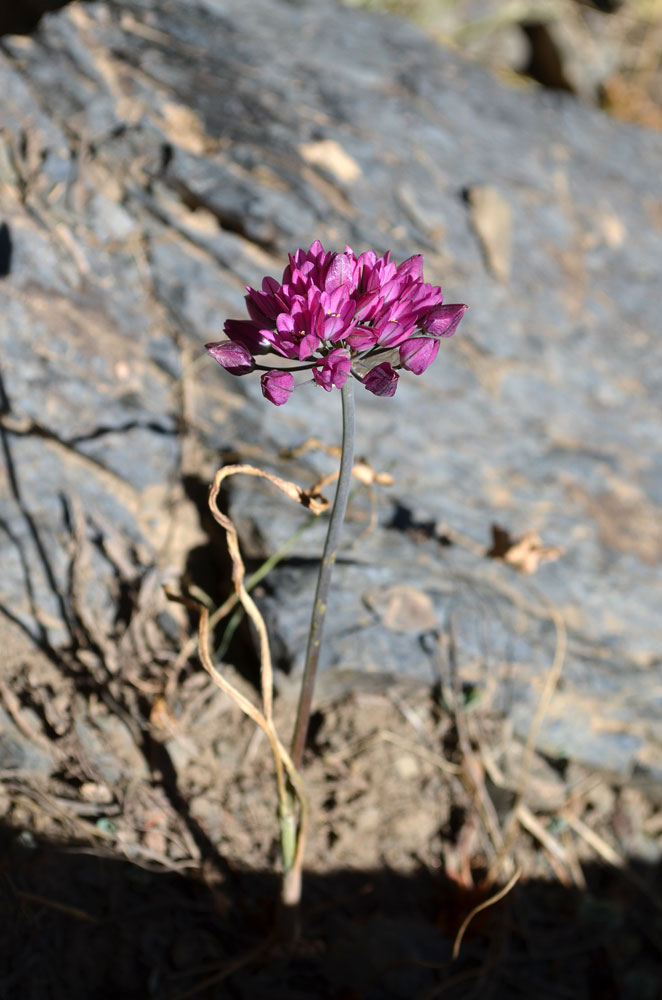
<point>324,574</point>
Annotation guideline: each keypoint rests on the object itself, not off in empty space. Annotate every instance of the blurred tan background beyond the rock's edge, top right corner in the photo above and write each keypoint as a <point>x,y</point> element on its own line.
<point>606,52</point>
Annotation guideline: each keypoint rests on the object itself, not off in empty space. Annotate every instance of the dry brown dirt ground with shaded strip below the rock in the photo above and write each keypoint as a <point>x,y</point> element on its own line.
<point>144,865</point>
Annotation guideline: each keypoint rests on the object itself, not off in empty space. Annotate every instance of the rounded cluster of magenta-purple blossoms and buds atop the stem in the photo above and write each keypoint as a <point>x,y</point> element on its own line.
<point>337,314</point>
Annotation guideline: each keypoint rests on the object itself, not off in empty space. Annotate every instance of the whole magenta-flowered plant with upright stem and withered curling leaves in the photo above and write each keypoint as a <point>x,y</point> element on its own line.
<point>336,315</point>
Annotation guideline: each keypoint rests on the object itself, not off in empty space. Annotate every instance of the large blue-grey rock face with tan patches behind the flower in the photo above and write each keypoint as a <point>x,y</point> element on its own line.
<point>155,157</point>
